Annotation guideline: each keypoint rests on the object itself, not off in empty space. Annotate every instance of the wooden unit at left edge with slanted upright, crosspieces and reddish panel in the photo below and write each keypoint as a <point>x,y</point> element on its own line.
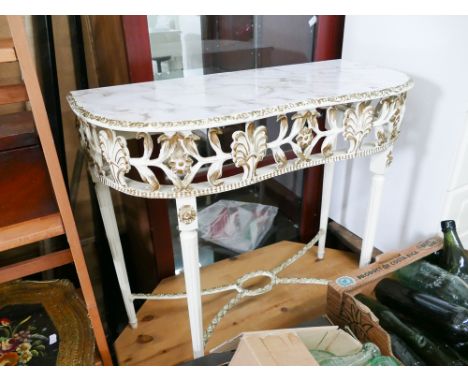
<point>34,204</point>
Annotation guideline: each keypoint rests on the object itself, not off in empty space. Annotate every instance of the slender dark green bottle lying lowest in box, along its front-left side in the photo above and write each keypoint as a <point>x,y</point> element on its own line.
<point>430,351</point>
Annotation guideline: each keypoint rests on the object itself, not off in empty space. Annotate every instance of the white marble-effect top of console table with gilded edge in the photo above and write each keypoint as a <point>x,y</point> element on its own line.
<point>234,97</point>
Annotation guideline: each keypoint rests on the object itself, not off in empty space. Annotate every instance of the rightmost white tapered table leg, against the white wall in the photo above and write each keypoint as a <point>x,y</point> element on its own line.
<point>378,166</point>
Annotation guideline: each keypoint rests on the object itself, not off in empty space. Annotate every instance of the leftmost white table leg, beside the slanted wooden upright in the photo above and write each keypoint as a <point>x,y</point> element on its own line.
<point>110,225</point>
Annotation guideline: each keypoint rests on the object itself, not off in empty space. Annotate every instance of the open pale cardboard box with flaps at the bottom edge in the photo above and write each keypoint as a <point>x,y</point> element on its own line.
<point>287,347</point>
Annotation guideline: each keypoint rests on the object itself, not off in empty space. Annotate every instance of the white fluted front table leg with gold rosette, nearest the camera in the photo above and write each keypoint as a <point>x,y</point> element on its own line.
<point>188,225</point>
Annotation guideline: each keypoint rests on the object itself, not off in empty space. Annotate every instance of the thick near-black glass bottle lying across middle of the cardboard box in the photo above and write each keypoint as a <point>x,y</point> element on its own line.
<point>449,320</point>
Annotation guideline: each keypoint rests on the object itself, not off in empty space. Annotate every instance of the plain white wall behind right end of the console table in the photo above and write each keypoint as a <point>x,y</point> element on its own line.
<point>434,52</point>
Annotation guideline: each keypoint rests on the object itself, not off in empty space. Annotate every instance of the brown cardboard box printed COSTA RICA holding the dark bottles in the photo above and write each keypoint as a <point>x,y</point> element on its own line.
<point>344,310</point>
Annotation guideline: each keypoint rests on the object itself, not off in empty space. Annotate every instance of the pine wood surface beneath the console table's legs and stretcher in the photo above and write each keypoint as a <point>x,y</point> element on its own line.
<point>163,335</point>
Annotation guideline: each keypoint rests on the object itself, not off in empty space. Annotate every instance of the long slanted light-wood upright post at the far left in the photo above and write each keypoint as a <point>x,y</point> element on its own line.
<point>28,70</point>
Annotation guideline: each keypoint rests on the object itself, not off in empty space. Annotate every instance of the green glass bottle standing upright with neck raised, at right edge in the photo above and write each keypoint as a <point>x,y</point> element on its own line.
<point>455,259</point>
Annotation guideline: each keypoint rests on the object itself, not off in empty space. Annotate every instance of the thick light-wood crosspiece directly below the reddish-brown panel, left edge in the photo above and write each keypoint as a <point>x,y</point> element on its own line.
<point>31,231</point>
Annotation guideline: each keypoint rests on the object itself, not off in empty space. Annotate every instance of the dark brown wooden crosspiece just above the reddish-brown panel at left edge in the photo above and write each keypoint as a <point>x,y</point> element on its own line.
<point>17,130</point>
